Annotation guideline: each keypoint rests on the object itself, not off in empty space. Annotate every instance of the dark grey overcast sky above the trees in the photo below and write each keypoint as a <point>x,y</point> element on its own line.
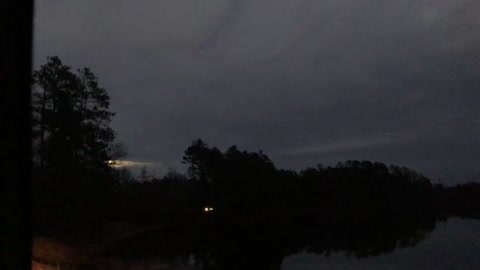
<point>305,81</point>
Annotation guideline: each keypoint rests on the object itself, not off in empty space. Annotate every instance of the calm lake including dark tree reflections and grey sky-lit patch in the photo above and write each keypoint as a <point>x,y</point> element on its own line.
<point>450,244</point>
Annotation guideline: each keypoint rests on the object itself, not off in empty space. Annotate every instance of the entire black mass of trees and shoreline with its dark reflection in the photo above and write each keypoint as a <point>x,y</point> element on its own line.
<point>361,207</point>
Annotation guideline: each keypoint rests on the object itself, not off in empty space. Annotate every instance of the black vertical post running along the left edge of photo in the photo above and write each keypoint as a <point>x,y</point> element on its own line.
<point>16,17</point>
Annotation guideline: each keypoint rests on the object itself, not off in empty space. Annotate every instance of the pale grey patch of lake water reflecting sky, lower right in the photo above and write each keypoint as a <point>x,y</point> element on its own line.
<point>454,244</point>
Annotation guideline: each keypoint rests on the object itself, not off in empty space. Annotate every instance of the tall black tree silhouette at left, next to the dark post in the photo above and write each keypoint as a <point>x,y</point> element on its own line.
<point>71,121</point>
